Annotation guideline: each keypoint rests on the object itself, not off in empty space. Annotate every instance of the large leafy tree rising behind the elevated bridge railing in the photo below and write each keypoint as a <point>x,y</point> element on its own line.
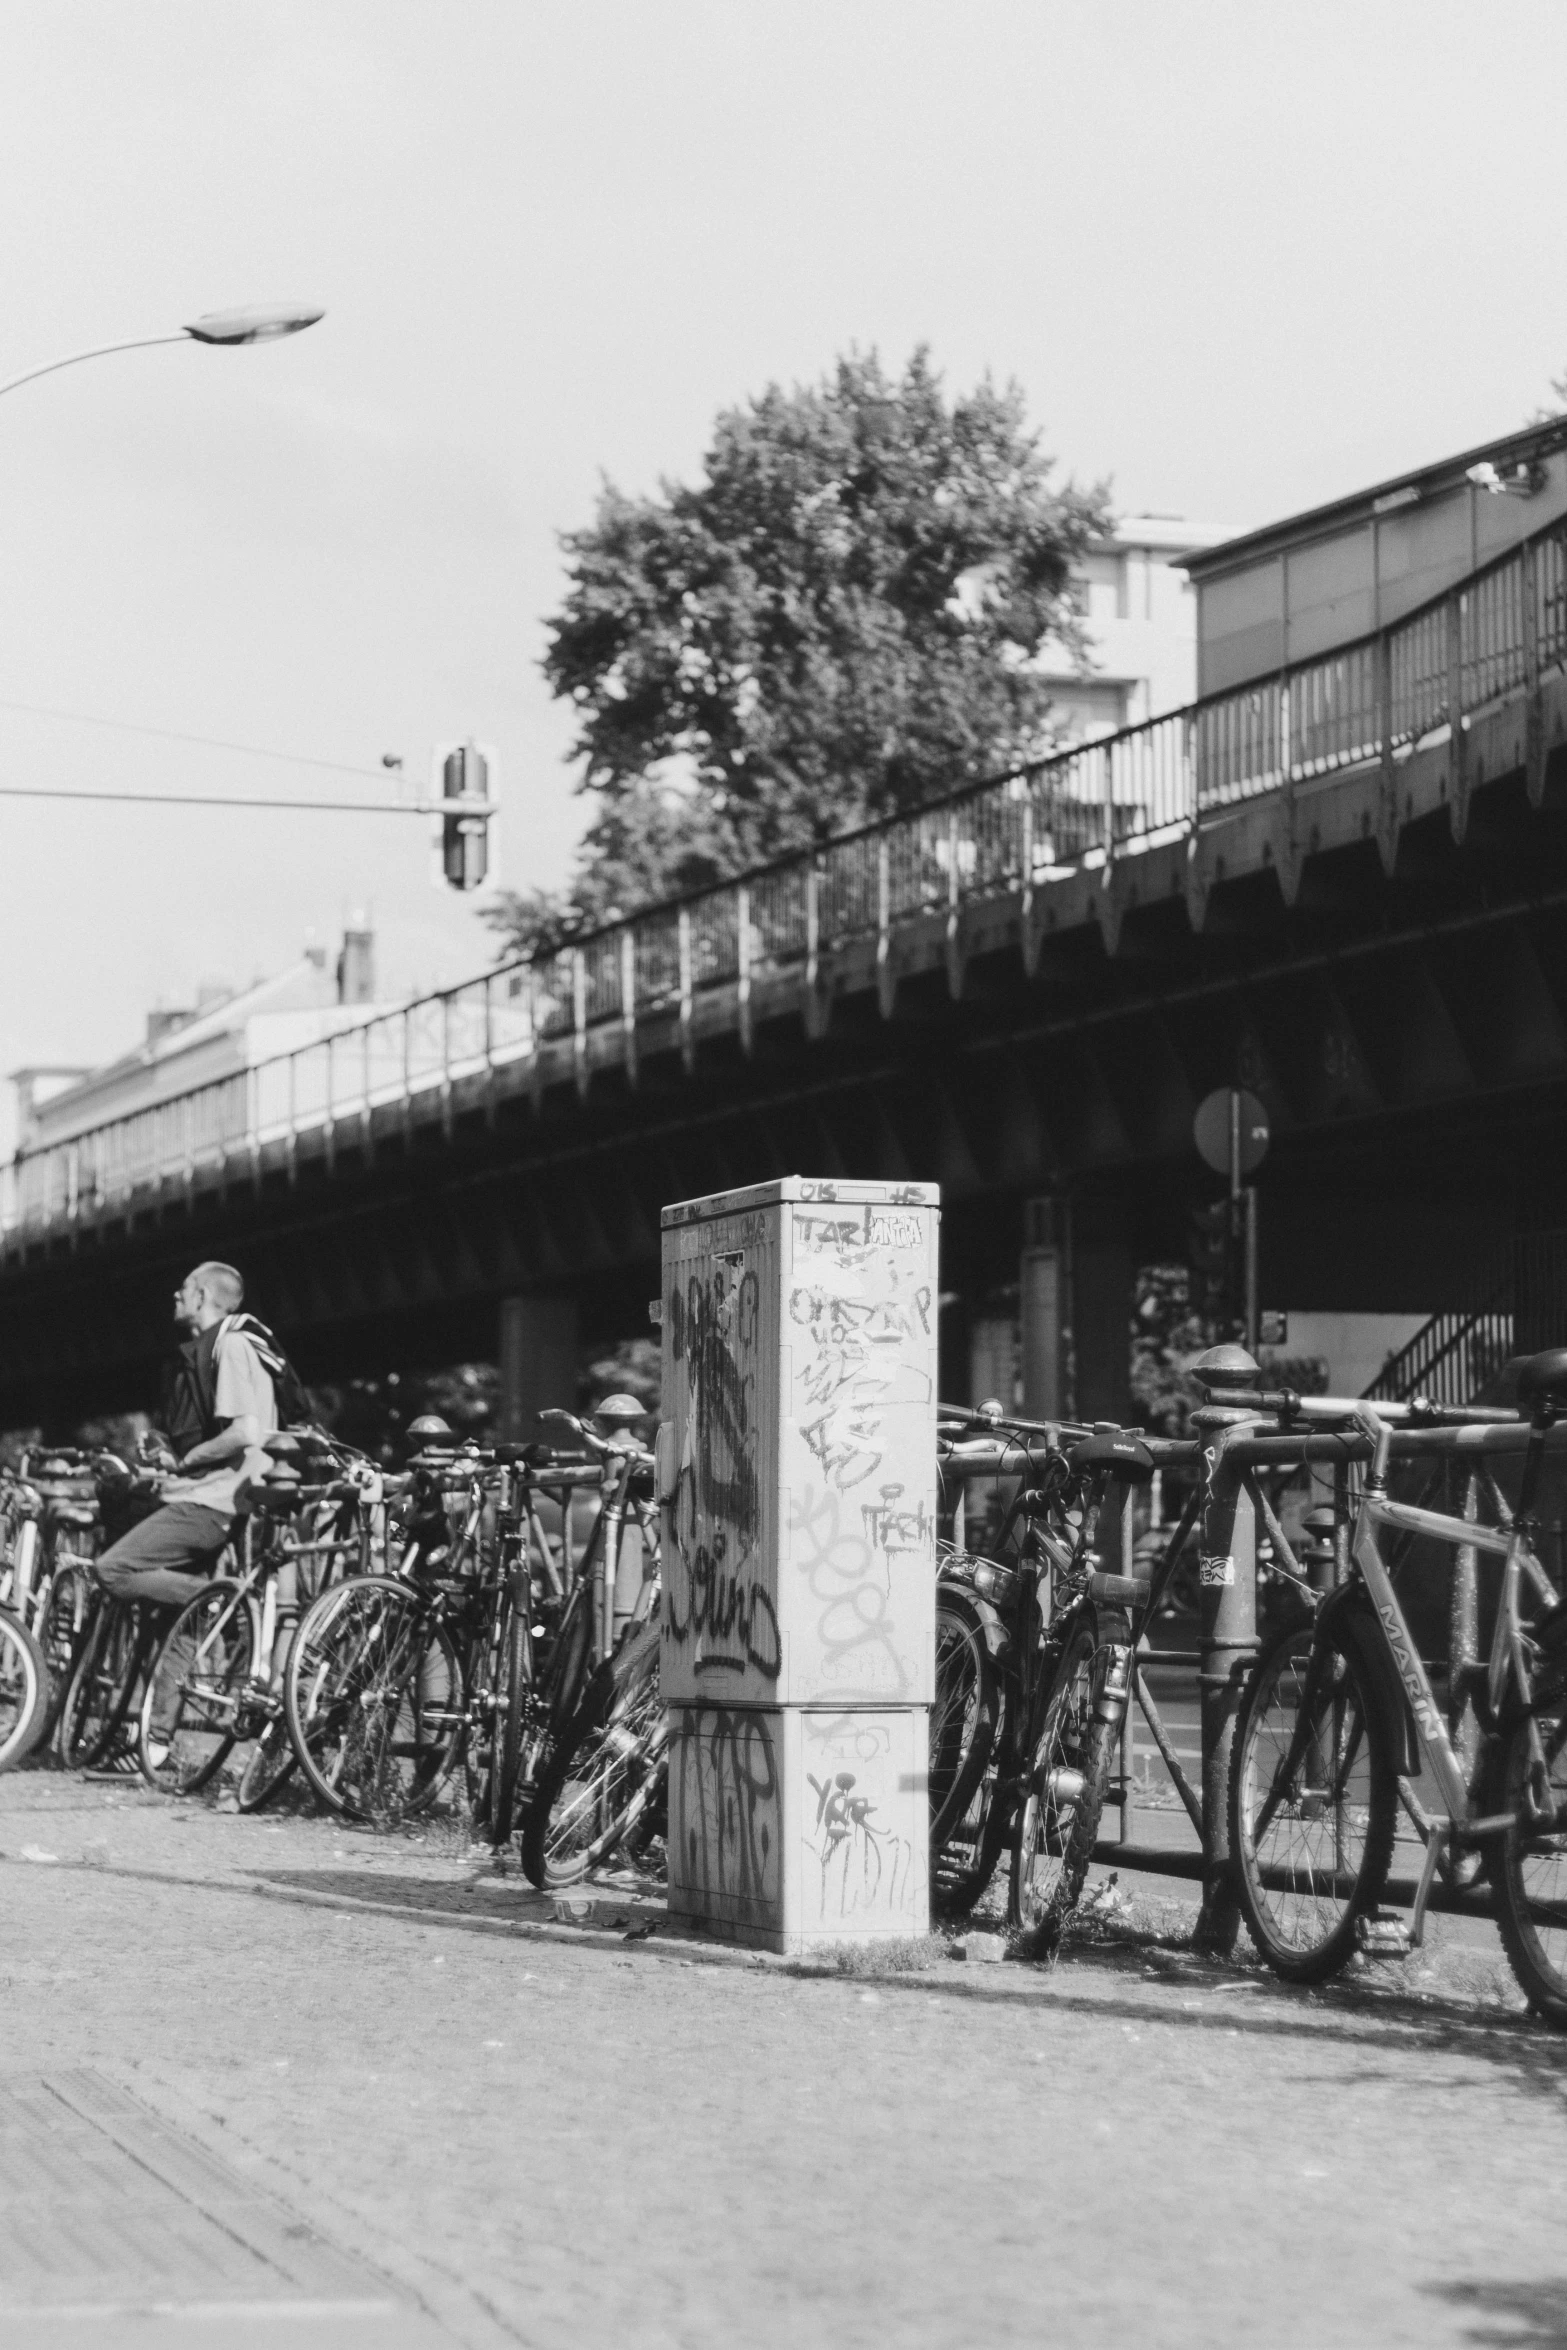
<point>838,622</point>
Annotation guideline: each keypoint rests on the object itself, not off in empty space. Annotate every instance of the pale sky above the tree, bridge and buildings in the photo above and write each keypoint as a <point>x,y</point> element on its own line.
<point>1242,260</point>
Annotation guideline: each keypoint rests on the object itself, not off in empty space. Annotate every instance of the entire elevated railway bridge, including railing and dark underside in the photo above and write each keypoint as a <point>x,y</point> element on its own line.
<point>1340,887</point>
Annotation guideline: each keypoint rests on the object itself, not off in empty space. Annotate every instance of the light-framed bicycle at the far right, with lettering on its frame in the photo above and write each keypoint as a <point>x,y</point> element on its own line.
<point>1340,1717</point>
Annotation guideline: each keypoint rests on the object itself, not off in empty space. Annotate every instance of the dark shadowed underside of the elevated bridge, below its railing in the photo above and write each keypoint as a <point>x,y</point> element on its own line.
<point>1404,1019</point>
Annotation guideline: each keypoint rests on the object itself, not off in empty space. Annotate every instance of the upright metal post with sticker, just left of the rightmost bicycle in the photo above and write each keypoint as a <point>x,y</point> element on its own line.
<point>1228,1569</point>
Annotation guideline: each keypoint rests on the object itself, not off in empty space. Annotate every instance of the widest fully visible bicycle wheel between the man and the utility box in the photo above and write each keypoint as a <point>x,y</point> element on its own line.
<point>375,1700</point>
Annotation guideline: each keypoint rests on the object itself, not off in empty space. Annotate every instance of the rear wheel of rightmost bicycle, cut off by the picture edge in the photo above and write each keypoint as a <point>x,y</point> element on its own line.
<point>1531,1858</point>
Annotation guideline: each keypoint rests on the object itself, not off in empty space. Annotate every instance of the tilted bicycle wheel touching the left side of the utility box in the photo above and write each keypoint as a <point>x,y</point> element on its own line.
<point>605,1773</point>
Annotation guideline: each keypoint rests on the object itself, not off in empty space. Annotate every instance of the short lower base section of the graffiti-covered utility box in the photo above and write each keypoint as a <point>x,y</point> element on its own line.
<point>793,1825</point>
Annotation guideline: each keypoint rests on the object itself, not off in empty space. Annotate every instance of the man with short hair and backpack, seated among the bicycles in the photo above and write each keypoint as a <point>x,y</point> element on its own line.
<point>220,1409</point>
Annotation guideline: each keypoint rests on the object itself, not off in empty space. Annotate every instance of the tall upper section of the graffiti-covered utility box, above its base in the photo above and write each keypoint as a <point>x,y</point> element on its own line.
<point>800,1446</point>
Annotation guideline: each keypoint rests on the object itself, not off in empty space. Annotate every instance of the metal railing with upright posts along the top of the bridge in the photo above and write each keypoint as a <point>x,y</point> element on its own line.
<point>1087,807</point>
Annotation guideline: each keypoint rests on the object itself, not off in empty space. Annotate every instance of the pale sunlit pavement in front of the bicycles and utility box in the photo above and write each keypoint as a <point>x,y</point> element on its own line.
<point>238,2111</point>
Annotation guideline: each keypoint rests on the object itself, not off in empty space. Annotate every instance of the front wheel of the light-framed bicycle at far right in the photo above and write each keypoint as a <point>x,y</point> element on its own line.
<point>1312,1801</point>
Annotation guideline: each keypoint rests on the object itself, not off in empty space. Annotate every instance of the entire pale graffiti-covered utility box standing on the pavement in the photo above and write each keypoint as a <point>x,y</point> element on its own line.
<point>798,1482</point>
